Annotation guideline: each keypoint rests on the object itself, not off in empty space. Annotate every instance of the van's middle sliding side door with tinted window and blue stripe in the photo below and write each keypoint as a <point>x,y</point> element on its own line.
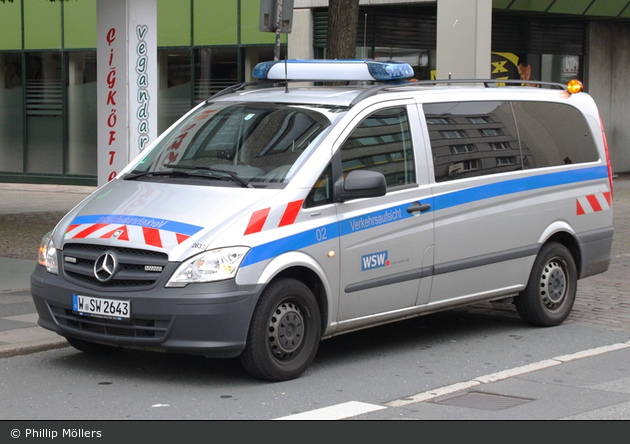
<point>482,219</point>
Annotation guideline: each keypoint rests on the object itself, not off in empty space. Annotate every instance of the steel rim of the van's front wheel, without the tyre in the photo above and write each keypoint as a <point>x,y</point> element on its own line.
<point>286,330</point>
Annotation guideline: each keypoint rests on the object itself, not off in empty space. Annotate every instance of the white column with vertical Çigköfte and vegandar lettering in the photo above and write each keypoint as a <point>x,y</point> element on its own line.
<point>126,82</point>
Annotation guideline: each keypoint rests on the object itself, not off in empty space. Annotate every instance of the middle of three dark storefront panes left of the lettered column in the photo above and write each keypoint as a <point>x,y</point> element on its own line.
<point>44,106</point>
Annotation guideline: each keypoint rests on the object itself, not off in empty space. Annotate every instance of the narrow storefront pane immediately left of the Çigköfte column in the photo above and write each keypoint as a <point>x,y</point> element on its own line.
<point>82,112</point>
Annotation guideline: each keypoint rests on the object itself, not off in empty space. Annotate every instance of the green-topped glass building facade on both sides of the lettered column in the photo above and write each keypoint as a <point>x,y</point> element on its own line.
<point>48,112</point>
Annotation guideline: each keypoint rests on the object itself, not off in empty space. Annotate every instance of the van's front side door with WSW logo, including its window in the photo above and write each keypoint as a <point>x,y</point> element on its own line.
<point>384,239</point>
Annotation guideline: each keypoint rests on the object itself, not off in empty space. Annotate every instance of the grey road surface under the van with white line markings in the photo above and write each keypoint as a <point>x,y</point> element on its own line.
<point>479,362</point>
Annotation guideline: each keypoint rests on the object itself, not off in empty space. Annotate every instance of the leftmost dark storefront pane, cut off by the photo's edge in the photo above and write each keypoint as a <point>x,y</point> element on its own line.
<point>11,110</point>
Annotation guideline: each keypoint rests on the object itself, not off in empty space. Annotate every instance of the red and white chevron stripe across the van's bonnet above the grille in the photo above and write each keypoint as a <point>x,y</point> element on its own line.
<point>131,233</point>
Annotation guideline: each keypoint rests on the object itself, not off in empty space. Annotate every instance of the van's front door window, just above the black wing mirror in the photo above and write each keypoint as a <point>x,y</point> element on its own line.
<point>382,142</point>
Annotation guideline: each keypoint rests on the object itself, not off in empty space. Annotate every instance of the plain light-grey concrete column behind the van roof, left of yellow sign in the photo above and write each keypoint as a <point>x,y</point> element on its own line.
<point>464,37</point>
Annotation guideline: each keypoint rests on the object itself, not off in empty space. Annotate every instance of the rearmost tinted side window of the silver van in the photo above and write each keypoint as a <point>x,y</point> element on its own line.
<point>554,133</point>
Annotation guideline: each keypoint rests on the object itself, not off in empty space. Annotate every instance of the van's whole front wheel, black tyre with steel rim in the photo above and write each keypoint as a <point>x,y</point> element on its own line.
<point>284,332</point>
